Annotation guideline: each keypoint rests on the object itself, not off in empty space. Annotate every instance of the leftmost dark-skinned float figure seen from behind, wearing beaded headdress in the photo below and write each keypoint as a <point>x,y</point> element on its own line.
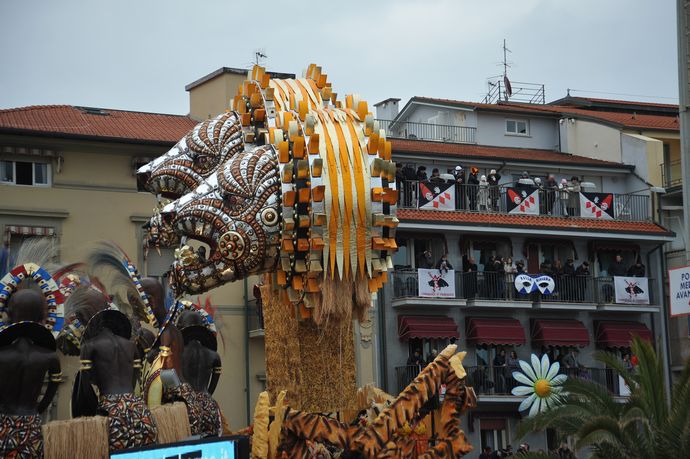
<point>30,315</point>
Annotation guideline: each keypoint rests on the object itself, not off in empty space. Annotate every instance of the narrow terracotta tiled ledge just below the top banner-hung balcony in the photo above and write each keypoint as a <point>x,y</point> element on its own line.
<point>531,221</point>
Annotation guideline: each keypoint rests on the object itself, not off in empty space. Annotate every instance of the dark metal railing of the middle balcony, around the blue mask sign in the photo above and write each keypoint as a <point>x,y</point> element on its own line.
<point>499,286</point>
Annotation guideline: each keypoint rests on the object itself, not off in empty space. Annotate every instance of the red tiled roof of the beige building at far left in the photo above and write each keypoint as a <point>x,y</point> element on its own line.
<point>94,123</point>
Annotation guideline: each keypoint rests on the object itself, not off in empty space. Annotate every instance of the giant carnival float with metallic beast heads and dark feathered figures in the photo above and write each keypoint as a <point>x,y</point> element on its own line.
<point>290,185</point>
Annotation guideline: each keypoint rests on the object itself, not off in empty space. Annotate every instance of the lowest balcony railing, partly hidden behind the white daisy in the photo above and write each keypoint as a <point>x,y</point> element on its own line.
<point>489,380</point>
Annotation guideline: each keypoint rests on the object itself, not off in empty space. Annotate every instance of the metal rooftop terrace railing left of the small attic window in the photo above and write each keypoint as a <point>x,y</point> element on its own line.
<point>428,131</point>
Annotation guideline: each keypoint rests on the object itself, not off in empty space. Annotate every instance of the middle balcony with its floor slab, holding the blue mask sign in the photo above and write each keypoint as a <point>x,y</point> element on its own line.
<point>494,289</point>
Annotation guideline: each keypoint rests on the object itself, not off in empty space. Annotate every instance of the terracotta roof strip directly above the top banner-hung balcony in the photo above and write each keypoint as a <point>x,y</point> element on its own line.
<point>498,153</point>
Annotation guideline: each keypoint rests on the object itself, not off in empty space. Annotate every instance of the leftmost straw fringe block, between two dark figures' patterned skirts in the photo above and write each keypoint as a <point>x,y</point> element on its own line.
<point>81,438</point>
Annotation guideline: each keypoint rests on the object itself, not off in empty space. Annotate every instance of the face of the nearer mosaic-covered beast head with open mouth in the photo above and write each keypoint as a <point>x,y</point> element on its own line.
<point>235,213</point>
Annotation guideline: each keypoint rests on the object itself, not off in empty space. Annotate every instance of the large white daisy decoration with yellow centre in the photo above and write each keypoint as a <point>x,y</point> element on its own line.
<point>542,384</point>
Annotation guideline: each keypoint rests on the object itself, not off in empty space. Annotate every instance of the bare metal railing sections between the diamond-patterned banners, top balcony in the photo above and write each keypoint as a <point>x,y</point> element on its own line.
<point>559,203</point>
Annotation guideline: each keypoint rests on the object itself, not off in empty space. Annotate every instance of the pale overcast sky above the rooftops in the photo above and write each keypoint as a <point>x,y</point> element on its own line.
<point>139,54</point>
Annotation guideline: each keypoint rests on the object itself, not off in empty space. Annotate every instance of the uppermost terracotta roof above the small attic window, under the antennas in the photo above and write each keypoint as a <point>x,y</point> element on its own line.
<point>626,120</point>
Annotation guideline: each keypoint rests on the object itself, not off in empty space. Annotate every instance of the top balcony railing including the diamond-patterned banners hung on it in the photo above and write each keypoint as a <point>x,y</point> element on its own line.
<point>501,199</point>
